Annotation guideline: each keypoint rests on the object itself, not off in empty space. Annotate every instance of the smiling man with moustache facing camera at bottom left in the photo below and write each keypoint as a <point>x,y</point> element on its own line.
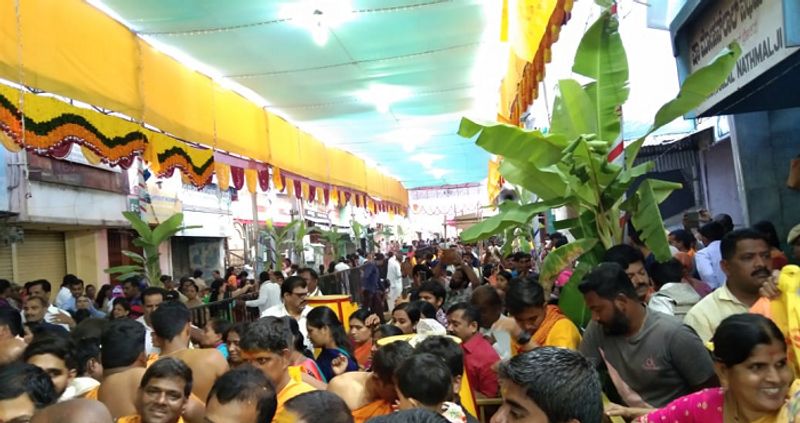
<point>163,393</point>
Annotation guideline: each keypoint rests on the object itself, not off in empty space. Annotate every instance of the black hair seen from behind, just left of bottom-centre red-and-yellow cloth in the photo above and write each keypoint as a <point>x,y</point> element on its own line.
<point>425,378</point>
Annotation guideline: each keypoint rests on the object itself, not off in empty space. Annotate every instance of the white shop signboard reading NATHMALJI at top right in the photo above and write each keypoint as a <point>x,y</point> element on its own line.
<point>758,26</point>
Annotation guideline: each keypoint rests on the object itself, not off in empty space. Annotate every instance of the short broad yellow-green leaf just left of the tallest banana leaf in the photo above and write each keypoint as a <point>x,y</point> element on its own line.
<point>573,111</point>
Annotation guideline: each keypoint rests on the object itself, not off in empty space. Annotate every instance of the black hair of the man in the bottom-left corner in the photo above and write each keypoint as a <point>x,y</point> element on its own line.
<point>20,378</point>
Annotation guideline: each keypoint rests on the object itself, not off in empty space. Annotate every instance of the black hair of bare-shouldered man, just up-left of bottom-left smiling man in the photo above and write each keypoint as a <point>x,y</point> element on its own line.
<point>122,342</point>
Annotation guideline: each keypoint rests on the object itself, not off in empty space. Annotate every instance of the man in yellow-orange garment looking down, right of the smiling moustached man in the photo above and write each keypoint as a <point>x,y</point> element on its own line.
<point>266,345</point>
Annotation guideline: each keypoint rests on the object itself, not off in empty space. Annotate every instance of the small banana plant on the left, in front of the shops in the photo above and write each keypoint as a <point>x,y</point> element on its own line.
<point>147,265</point>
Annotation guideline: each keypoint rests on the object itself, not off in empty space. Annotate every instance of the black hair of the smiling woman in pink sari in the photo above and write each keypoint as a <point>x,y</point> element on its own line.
<point>737,335</point>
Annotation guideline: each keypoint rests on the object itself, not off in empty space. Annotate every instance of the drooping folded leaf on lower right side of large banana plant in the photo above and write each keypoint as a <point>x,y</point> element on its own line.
<point>646,217</point>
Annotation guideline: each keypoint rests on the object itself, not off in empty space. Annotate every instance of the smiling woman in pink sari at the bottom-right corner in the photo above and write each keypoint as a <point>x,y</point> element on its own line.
<point>750,360</point>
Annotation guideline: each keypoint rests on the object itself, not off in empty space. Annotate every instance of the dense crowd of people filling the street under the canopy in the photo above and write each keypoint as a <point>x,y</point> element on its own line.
<point>442,327</point>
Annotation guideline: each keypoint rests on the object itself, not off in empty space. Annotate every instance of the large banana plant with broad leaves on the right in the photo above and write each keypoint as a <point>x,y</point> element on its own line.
<point>569,165</point>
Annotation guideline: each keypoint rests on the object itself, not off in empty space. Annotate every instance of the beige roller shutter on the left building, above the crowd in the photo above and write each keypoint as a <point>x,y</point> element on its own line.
<point>42,255</point>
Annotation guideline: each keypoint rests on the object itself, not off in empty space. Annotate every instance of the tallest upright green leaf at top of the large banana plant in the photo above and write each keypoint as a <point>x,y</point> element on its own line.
<point>601,56</point>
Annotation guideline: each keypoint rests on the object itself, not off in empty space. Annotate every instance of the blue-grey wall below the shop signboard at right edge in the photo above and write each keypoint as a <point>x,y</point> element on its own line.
<point>766,143</point>
